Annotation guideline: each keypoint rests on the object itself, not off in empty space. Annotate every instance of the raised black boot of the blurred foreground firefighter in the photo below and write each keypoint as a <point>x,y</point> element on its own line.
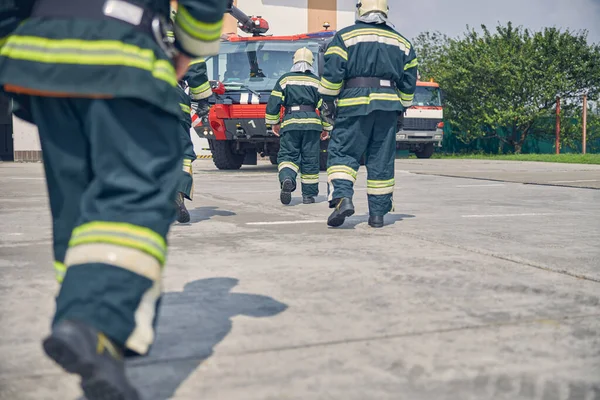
<point>82,350</point>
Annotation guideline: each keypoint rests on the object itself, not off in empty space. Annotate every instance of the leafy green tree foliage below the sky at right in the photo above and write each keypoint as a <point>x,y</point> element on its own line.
<point>502,83</point>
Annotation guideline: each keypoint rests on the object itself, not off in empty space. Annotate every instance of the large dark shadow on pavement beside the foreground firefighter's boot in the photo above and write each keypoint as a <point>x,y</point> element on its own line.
<point>191,323</point>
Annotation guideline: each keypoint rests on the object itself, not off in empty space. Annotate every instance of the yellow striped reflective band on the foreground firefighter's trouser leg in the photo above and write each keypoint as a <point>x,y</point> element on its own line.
<point>121,234</point>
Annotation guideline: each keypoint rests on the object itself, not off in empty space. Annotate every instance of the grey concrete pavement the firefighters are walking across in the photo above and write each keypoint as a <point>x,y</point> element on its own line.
<point>474,290</point>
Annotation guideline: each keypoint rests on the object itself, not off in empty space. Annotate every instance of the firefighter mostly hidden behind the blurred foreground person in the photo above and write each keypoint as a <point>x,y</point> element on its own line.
<point>196,83</point>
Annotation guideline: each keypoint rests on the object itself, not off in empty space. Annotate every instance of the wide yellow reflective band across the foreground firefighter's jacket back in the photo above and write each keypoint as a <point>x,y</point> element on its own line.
<point>87,52</point>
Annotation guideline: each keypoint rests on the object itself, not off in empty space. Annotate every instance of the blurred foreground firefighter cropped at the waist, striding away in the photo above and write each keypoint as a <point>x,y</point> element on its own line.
<point>100,79</point>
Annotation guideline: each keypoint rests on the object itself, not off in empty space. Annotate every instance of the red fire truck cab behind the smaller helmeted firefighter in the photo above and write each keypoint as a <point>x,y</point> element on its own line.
<point>243,75</point>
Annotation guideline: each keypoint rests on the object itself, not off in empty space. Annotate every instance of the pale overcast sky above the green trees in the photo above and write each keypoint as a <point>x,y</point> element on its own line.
<point>451,16</point>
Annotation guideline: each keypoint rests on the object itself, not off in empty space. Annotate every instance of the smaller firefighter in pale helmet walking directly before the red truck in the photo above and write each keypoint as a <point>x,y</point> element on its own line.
<point>301,128</point>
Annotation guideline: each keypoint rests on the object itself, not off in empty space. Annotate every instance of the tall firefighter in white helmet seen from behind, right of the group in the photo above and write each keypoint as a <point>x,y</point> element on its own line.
<point>371,72</point>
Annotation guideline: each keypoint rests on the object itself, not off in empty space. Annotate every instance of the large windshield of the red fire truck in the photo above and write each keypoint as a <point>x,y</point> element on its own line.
<point>255,65</point>
